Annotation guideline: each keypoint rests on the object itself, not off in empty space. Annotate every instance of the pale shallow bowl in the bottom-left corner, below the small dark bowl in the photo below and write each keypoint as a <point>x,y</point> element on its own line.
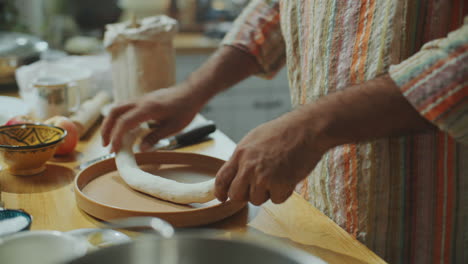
<point>41,247</point>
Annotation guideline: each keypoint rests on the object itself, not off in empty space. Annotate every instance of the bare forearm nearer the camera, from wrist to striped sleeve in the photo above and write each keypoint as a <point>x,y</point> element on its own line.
<point>367,111</point>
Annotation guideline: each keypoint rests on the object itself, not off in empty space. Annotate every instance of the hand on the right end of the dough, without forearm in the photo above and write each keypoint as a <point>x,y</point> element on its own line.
<point>269,162</point>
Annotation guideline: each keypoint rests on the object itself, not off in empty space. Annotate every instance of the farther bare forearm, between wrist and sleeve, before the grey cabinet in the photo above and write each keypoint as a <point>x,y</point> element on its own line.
<point>224,69</point>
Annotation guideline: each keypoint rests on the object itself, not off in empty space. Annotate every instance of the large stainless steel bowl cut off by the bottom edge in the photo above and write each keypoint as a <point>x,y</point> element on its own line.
<point>199,247</point>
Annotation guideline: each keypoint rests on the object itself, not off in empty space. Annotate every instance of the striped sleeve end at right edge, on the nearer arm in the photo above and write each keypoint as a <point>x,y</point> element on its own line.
<point>435,81</point>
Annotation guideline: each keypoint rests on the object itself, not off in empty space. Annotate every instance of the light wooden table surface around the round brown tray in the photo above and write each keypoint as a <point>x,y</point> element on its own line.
<point>49,198</point>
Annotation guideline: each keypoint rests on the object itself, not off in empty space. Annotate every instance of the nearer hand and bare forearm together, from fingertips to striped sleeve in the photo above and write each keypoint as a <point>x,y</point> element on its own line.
<point>273,158</point>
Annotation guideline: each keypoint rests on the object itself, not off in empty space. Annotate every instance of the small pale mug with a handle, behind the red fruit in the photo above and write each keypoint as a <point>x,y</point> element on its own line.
<point>53,97</point>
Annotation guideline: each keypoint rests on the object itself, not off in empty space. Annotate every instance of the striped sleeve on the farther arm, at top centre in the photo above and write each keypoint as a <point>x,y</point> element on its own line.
<point>257,31</point>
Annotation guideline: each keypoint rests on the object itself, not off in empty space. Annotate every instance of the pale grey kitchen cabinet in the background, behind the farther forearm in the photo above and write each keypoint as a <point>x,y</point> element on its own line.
<point>246,105</point>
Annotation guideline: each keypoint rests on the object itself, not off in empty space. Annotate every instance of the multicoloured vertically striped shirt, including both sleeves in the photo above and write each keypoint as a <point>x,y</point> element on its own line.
<point>406,197</point>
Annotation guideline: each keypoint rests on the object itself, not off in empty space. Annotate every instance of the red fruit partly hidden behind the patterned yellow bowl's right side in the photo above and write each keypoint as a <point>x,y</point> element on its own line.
<point>68,145</point>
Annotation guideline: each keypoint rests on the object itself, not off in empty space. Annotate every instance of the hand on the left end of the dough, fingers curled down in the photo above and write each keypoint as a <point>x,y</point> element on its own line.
<point>171,108</point>
